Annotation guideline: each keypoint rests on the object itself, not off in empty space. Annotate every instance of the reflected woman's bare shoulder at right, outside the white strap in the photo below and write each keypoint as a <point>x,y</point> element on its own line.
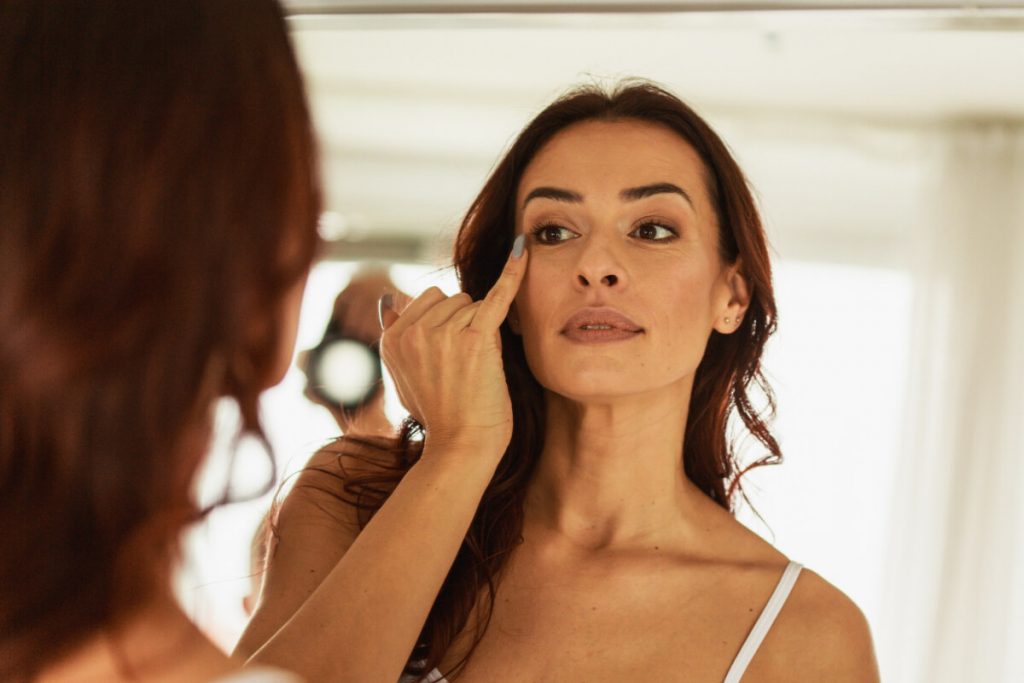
<point>820,635</point>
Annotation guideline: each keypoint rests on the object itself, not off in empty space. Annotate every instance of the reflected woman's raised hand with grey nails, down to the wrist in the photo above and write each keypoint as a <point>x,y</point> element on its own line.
<point>446,357</point>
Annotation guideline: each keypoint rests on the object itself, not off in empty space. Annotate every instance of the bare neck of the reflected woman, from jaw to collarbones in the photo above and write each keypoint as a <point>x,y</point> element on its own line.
<point>612,476</point>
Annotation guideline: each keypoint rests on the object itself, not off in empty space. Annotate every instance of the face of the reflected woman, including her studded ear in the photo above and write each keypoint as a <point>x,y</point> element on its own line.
<point>625,282</point>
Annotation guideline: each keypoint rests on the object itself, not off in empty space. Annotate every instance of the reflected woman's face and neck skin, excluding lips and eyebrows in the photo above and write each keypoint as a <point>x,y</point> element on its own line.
<point>607,403</point>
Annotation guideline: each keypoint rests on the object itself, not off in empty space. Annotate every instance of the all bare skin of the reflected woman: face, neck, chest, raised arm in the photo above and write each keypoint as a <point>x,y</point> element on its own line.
<point>626,572</point>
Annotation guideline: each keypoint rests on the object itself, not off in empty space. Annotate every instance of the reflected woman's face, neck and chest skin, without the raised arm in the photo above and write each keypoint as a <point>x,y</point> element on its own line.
<point>626,566</point>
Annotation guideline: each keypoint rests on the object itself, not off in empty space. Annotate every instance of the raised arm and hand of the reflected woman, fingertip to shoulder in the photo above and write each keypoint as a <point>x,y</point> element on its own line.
<point>345,606</point>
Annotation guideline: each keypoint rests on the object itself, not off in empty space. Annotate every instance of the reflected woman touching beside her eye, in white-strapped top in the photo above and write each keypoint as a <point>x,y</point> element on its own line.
<point>568,515</point>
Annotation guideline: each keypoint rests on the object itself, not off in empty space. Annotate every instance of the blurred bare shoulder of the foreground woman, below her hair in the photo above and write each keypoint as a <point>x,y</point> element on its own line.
<point>157,644</point>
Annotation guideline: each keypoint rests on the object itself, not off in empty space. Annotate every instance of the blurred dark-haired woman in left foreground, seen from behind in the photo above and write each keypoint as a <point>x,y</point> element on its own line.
<point>158,210</point>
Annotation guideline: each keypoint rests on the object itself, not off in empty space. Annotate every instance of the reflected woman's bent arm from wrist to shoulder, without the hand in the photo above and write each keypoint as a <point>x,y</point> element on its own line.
<point>358,620</point>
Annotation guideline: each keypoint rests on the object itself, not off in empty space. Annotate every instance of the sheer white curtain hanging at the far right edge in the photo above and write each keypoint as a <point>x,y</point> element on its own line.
<point>955,602</point>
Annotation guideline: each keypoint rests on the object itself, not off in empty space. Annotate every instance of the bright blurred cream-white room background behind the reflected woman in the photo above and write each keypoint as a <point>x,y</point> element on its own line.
<point>886,145</point>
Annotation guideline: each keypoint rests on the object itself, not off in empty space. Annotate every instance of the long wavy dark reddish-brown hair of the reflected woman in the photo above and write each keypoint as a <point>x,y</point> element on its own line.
<point>726,377</point>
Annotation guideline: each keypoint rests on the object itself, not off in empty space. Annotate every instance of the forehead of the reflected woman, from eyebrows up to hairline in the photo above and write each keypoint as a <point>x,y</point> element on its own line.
<point>604,157</point>
